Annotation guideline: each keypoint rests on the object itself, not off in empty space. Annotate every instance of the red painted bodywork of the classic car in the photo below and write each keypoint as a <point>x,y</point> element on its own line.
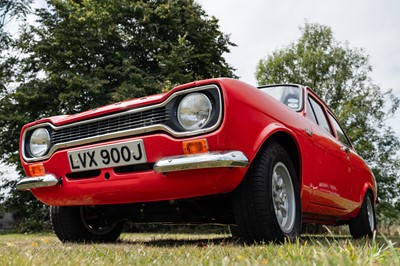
<point>332,182</point>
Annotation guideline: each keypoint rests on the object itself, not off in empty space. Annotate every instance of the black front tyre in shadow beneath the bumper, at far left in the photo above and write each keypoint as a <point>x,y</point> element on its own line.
<point>84,224</point>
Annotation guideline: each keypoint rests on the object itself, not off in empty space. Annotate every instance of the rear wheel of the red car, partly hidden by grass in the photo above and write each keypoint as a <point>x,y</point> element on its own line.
<point>364,224</point>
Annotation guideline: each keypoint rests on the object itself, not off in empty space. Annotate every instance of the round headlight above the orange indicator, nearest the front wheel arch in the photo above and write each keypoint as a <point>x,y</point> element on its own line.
<point>194,111</point>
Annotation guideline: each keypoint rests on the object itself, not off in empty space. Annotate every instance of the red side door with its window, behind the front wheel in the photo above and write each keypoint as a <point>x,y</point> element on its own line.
<point>331,164</point>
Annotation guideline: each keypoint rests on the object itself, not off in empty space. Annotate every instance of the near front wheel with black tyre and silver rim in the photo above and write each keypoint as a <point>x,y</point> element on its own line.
<point>267,204</point>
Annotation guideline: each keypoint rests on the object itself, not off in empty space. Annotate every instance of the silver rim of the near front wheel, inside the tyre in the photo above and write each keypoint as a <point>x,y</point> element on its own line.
<point>283,197</point>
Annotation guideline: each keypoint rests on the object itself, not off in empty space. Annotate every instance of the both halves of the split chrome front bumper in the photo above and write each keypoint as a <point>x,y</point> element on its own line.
<point>168,164</point>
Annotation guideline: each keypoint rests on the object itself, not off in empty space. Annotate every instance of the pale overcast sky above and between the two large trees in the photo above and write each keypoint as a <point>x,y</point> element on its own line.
<point>259,27</point>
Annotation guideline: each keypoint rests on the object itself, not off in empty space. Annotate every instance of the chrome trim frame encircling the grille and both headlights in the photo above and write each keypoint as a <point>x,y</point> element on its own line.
<point>124,133</point>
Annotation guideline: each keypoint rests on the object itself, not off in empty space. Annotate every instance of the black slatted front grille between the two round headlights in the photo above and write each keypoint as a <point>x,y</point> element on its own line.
<point>111,125</point>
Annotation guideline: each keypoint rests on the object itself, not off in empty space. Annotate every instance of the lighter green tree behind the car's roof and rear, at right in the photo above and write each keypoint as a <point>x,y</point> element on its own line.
<point>340,75</point>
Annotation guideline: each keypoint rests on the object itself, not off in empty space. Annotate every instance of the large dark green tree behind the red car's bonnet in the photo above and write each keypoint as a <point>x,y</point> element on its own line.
<point>82,54</point>
